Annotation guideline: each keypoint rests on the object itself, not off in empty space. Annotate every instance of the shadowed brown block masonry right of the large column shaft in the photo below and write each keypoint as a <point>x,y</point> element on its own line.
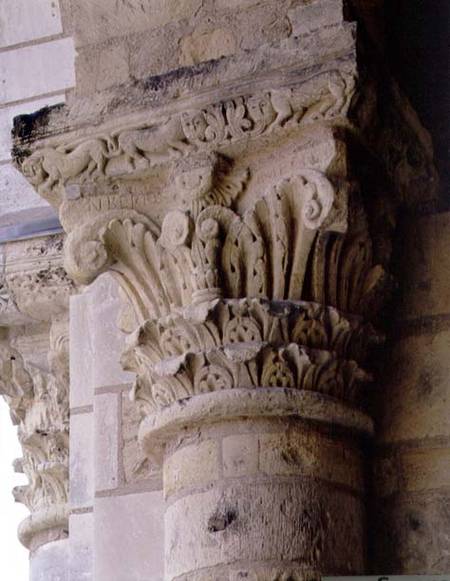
<point>412,466</point>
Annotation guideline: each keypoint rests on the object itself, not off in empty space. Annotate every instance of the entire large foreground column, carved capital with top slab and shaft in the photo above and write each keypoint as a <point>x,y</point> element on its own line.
<point>246,208</point>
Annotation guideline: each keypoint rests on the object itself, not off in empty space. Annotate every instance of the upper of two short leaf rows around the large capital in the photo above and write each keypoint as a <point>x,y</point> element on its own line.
<point>229,322</point>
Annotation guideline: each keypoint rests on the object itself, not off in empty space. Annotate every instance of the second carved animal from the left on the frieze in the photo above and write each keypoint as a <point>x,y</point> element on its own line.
<point>155,144</point>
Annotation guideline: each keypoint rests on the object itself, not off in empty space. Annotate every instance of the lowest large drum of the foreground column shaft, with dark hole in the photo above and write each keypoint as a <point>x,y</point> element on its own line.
<point>306,524</point>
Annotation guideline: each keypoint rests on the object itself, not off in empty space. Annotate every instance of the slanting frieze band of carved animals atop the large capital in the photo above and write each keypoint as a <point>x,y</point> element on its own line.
<point>325,96</point>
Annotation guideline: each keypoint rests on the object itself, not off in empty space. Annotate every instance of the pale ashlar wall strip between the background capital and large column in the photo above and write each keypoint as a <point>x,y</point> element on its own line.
<point>116,525</point>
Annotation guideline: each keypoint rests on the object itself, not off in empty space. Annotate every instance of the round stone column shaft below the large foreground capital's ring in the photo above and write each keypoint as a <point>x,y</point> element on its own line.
<point>268,512</point>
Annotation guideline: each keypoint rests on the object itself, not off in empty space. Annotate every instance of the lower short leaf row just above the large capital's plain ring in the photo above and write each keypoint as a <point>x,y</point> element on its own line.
<point>247,366</point>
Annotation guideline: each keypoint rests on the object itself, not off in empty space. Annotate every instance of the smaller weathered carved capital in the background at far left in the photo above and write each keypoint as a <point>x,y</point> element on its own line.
<point>34,379</point>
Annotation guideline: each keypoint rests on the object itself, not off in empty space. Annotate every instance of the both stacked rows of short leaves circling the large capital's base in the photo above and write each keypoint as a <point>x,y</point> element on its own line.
<point>247,343</point>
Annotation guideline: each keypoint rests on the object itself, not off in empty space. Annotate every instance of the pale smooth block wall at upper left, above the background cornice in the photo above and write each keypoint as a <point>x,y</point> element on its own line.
<point>36,70</point>
